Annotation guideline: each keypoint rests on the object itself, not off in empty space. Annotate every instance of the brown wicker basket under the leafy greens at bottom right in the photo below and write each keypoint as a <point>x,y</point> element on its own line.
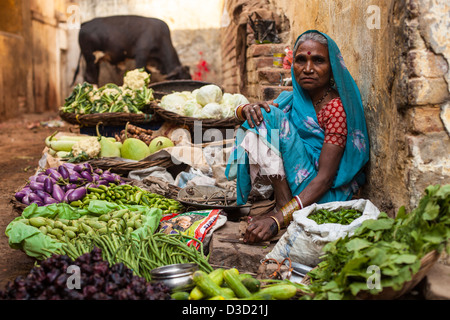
<point>389,293</point>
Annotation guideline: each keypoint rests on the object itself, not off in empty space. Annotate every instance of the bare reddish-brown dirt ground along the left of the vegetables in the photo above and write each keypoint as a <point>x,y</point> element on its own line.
<point>22,143</point>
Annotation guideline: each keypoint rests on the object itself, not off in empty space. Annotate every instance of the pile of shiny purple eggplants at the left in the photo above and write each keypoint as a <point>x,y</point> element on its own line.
<point>66,183</point>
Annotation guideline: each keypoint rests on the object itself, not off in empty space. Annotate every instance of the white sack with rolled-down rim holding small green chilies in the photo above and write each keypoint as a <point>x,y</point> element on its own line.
<point>304,238</point>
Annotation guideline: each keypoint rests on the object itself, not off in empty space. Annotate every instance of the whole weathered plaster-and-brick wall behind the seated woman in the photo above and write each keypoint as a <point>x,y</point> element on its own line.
<point>398,54</point>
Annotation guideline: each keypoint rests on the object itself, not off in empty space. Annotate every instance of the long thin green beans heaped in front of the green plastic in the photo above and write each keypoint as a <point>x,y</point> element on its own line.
<point>141,255</point>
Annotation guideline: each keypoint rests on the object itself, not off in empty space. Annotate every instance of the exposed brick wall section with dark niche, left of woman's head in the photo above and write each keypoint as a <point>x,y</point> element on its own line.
<point>247,67</point>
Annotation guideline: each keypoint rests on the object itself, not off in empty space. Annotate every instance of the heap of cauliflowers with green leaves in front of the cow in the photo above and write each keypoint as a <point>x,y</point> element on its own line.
<point>132,97</point>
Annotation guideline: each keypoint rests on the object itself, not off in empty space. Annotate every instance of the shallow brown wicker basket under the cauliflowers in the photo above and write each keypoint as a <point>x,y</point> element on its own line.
<point>109,118</point>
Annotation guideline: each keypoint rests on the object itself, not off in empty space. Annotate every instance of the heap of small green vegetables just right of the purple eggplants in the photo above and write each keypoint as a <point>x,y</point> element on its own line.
<point>131,195</point>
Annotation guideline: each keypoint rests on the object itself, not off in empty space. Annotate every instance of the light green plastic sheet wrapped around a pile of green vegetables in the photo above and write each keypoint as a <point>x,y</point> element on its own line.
<point>40,246</point>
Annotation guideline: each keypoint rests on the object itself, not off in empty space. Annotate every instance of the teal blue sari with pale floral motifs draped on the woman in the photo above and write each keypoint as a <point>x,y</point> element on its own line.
<point>292,131</point>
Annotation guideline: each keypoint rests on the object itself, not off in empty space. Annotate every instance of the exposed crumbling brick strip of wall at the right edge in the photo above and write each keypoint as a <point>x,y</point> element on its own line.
<point>428,96</point>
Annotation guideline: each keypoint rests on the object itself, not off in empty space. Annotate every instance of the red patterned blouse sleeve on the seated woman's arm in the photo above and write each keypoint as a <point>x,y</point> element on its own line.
<point>333,120</point>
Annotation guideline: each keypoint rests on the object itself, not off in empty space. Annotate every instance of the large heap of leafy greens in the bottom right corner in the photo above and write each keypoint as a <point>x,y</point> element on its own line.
<point>394,245</point>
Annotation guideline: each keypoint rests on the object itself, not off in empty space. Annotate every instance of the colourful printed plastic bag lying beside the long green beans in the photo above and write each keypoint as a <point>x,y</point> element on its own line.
<point>198,224</point>
